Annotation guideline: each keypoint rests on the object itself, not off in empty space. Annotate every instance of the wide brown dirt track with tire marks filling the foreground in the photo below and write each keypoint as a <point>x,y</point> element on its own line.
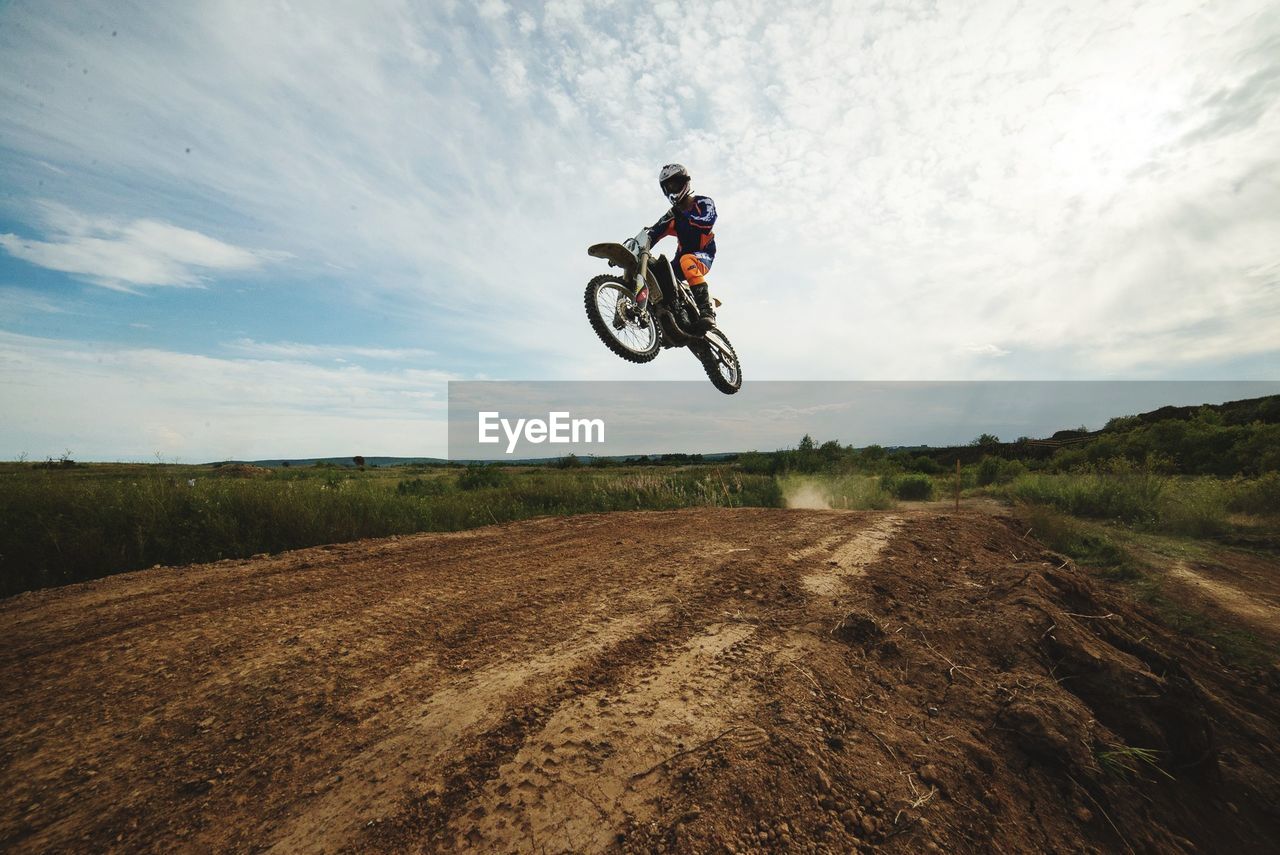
<point>691,682</point>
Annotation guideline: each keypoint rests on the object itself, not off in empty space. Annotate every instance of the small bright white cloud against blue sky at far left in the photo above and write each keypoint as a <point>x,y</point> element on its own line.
<point>129,255</point>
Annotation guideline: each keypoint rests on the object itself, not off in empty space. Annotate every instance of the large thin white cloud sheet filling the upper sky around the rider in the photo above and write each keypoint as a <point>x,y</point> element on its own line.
<point>897,184</point>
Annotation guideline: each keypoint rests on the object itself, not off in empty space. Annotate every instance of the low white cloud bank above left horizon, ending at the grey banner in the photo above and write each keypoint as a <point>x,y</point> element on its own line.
<point>198,408</point>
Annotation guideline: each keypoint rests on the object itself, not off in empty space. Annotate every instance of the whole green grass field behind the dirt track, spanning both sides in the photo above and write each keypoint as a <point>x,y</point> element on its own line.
<point>67,524</point>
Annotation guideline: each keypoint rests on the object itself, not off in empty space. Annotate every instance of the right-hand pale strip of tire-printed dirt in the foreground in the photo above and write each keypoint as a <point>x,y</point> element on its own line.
<point>597,761</point>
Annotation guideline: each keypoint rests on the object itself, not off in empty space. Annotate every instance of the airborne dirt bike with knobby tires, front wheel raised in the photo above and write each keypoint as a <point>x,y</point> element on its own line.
<point>637,326</point>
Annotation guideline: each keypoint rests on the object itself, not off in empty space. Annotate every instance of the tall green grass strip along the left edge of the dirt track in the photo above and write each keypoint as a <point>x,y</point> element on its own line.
<point>60,529</point>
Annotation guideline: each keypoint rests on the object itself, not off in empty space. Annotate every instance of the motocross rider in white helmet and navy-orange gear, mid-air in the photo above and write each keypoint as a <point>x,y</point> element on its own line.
<point>691,220</point>
